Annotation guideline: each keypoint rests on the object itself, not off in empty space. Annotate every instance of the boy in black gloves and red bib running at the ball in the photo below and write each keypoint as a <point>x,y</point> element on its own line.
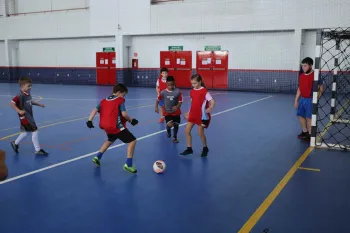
<point>113,117</point>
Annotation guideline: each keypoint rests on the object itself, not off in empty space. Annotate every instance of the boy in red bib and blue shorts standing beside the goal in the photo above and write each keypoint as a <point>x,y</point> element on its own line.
<point>304,104</point>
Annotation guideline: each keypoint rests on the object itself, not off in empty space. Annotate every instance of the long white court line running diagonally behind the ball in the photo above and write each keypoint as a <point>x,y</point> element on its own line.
<point>119,145</point>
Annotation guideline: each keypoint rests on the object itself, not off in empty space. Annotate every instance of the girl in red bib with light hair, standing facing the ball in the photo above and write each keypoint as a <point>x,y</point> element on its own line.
<point>199,113</point>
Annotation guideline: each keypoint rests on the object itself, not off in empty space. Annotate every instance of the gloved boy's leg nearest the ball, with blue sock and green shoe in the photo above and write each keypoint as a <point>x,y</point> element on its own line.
<point>127,137</point>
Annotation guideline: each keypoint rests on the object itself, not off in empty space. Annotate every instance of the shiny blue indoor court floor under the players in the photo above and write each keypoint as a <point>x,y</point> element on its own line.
<point>252,141</point>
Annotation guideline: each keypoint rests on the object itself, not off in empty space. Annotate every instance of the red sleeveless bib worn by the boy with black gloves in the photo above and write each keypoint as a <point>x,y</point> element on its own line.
<point>111,119</point>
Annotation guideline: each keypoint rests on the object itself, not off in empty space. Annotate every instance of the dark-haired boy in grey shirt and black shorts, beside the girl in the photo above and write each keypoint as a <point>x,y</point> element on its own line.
<point>172,99</point>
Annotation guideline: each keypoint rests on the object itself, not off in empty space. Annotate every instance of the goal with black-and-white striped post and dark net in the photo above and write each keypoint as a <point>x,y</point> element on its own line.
<point>331,110</point>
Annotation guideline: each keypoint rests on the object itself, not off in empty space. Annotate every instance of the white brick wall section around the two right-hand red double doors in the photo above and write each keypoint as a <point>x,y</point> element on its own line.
<point>272,50</point>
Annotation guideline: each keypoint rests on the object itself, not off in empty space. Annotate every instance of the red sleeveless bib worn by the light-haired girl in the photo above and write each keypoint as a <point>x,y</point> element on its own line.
<point>198,106</point>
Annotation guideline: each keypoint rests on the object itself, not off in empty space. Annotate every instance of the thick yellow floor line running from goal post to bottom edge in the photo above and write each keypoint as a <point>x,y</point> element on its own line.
<point>248,226</point>
